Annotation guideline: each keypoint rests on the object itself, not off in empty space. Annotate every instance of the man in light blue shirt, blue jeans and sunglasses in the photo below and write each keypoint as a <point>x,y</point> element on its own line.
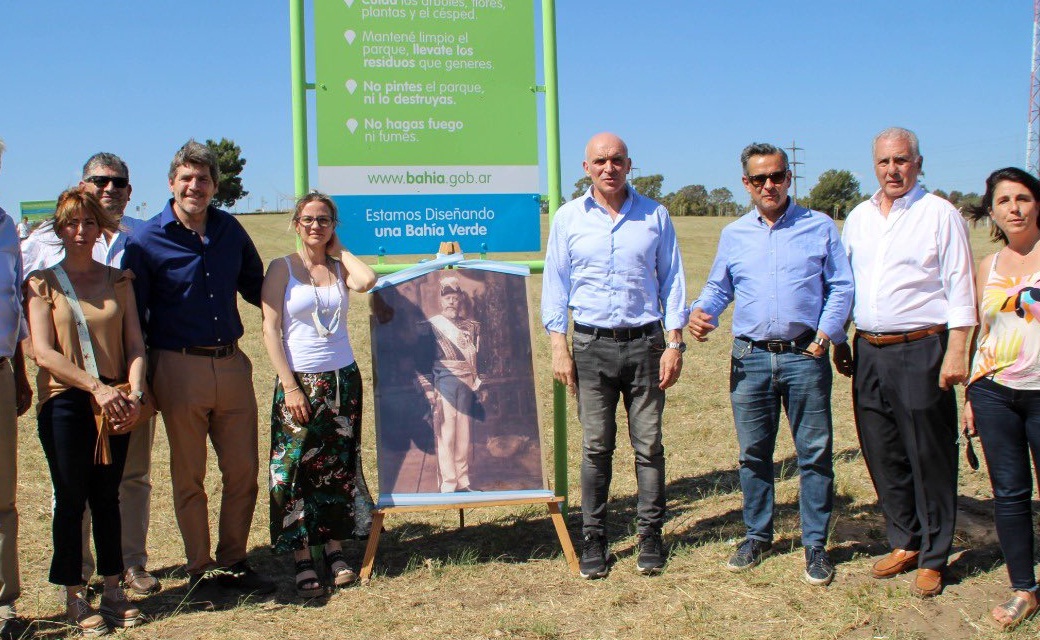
<point>788,272</point>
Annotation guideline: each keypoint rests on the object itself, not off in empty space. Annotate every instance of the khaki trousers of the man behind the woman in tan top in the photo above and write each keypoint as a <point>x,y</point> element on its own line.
<point>136,503</point>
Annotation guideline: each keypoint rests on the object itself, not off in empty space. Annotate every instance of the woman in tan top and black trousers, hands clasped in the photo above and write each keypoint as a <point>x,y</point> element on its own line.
<point>86,336</point>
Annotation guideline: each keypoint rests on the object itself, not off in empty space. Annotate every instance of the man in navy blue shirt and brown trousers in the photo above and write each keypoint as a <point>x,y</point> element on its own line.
<point>191,263</point>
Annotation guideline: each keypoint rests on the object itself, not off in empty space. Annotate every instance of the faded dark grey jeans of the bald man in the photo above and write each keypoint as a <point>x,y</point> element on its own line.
<point>609,372</point>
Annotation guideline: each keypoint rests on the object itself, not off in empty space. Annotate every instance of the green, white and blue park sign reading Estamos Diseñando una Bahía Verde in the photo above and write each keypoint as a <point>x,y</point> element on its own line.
<point>428,123</point>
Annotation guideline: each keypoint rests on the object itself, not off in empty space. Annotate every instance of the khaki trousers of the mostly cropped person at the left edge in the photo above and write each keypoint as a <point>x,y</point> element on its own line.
<point>11,584</point>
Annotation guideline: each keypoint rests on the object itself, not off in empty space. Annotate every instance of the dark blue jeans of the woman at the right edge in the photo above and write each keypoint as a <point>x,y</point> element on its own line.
<point>1008,422</point>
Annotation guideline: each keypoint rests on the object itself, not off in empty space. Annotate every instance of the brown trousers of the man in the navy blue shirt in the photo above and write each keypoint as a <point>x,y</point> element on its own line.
<point>201,397</point>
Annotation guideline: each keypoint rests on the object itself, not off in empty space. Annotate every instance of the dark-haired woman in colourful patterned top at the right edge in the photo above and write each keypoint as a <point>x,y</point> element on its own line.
<point>1003,405</point>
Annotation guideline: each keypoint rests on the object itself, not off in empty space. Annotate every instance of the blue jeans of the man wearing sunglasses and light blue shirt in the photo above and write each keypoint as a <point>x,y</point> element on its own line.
<point>761,383</point>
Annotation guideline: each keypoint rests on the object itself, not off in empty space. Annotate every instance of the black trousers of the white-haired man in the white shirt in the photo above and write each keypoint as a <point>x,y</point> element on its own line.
<point>907,429</point>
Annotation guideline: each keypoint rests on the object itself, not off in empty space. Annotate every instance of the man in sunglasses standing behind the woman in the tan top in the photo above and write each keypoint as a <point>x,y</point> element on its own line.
<point>108,176</point>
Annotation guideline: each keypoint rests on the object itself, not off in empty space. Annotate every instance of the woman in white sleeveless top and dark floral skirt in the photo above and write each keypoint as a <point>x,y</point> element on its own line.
<point>319,494</point>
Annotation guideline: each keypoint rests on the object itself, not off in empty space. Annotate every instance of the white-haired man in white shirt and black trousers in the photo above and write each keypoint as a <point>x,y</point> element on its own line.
<point>914,311</point>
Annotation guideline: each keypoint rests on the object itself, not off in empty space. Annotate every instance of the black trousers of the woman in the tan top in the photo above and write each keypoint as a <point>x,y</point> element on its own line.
<point>69,436</point>
